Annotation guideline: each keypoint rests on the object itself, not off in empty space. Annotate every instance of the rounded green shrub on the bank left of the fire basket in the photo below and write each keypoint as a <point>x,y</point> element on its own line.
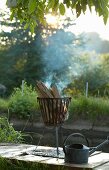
<point>23,104</point>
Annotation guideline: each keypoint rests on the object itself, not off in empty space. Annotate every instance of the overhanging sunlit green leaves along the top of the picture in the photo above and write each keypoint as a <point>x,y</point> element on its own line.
<point>32,12</point>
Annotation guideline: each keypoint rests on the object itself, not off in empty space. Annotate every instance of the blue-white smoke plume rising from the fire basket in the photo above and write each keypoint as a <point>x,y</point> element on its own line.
<point>67,56</point>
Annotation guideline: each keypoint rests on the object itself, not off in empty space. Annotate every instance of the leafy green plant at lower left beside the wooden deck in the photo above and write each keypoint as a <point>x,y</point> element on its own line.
<point>7,132</point>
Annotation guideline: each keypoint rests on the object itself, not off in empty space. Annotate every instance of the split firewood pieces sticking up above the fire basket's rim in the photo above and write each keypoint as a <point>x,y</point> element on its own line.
<point>44,92</point>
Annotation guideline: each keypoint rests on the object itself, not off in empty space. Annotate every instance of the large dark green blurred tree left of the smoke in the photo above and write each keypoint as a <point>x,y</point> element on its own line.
<point>20,55</point>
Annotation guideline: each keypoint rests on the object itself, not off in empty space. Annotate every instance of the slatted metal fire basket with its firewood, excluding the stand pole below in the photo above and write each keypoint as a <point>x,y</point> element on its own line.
<point>53,107</point>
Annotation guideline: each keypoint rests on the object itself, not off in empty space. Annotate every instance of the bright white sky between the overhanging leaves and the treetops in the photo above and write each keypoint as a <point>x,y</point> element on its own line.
<point>89,22</point>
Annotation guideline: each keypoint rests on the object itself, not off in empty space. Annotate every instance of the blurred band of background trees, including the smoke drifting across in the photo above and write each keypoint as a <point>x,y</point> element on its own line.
<point>53,56</point>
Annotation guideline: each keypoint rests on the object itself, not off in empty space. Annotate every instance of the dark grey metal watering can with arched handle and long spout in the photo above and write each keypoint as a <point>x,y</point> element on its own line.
<point>78,153</point>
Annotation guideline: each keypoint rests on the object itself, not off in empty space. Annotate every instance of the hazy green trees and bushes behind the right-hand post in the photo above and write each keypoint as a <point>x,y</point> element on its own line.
<point>96,76</point>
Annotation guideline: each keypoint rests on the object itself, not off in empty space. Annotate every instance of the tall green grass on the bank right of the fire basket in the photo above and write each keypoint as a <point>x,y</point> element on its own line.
<point>89,108</point>
